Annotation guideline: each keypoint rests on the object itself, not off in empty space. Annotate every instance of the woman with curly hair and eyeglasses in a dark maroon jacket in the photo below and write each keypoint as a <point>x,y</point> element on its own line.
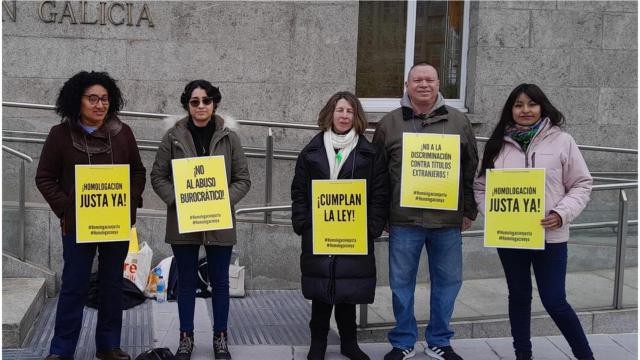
<point>90,133</point>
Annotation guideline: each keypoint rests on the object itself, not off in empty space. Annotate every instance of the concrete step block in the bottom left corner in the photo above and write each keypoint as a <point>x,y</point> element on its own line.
<point>22,300</point>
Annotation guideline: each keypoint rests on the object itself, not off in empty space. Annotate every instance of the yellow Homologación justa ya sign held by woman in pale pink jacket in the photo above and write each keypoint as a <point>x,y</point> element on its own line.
<point>514,206</point>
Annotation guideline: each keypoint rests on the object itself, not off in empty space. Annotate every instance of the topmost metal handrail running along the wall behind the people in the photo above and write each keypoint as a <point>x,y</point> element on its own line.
<point>285,125</point>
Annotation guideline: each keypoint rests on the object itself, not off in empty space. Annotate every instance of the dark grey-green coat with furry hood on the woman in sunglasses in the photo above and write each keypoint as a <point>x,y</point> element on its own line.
<point>177,143</point>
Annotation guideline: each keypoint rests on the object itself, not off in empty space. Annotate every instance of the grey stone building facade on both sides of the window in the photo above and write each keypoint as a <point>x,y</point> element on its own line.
<point>280,61</point>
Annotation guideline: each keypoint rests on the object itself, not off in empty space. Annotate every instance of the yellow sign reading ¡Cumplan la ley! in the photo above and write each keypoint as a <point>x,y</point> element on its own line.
<point>339,217</point>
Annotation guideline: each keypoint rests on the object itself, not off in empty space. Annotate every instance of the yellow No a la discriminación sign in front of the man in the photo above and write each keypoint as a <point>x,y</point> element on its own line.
<point>430,171</point>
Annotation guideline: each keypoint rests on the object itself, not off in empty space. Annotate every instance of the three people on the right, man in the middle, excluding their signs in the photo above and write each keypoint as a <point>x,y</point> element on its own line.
<point>529,129</point>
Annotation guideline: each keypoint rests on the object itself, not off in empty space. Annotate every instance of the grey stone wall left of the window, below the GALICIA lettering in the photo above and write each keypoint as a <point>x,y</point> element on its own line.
<point>273,61</point>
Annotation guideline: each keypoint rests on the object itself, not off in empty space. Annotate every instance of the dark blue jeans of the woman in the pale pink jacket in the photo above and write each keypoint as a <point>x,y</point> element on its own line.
<point>550,268</point>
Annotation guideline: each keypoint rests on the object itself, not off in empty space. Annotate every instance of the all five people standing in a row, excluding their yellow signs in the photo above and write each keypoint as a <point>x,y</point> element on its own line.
<point>528,134</point>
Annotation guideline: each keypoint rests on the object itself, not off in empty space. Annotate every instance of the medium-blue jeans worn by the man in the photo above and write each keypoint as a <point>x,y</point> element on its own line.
<point>444,251</point>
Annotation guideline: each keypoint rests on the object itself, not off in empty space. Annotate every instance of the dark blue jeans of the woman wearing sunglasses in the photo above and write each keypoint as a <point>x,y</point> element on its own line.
<point>218,259</point>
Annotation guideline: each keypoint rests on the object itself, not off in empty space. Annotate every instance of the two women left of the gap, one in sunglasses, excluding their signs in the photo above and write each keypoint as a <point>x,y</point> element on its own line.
<point>91,133</point>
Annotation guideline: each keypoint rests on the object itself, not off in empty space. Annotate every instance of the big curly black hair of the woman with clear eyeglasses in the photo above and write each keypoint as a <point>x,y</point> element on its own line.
<point>68,103</point>
